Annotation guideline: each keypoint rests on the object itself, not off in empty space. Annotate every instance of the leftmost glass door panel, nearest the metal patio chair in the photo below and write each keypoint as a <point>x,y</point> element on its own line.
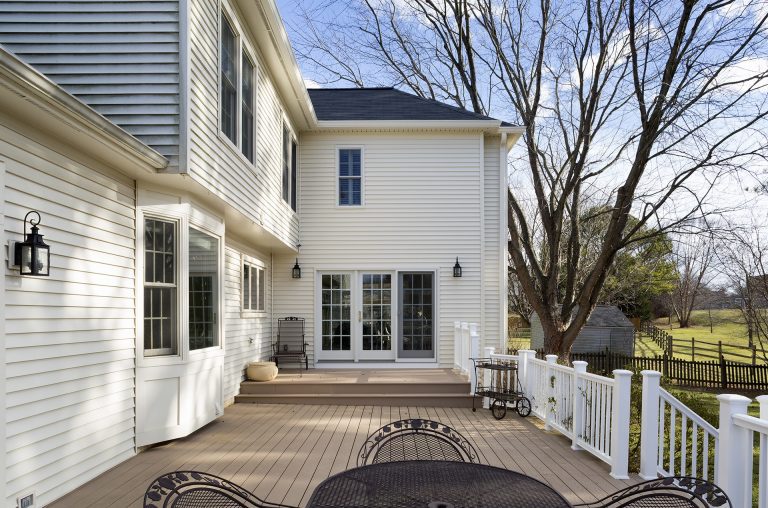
<point>336,312</point>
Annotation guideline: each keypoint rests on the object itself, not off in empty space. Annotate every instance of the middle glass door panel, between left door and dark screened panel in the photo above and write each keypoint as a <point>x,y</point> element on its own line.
<point>376,316</point>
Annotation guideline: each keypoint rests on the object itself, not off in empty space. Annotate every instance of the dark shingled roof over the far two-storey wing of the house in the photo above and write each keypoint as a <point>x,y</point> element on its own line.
<point>382,104</point>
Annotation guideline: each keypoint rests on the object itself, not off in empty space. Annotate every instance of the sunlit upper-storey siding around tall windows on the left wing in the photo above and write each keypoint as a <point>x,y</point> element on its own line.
<point>215,162</point>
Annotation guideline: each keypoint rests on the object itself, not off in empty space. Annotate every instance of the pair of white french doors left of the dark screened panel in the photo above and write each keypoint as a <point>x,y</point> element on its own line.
<point>356,316</point>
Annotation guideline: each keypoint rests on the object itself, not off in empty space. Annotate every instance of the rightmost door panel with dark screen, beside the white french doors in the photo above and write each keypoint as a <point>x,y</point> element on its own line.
<point>416,338</point>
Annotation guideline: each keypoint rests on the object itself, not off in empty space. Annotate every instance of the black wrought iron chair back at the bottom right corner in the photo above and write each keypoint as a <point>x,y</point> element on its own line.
<point>670,492</point>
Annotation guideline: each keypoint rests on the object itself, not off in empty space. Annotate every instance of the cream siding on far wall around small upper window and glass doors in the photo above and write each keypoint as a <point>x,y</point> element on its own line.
<point>421,208</point>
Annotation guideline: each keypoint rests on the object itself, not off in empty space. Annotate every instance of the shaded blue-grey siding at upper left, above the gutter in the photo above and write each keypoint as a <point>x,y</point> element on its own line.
<point>120,57</point>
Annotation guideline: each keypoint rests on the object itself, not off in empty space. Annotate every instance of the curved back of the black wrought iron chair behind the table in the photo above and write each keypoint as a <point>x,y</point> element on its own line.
<point>416,439</point>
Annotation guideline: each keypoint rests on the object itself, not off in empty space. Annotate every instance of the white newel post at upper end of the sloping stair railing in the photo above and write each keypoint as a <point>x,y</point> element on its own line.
<point>649,426</point>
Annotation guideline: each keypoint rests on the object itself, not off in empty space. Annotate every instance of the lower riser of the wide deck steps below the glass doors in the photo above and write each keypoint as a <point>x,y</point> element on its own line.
<point>362,399</point>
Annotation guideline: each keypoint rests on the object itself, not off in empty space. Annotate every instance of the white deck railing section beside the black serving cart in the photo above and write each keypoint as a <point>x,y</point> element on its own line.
<point>592,410</point>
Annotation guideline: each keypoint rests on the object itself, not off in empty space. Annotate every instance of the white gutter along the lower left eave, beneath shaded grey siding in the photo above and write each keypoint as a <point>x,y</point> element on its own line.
<point>38,90</point>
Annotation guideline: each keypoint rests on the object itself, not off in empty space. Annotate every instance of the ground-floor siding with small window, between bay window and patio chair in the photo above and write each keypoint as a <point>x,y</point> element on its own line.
<point>241,326</point>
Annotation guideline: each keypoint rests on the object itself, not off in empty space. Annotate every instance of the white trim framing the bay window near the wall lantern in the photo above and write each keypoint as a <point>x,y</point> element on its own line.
<point>187,215</point>
